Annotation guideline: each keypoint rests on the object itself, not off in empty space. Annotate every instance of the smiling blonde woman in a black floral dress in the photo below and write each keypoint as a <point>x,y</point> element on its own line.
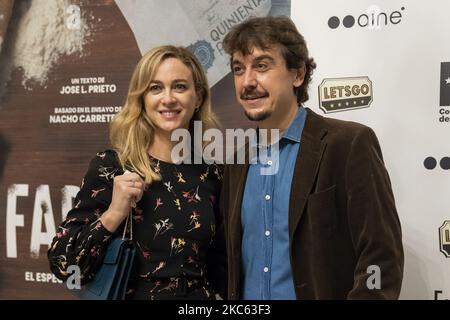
<point>176,225</point>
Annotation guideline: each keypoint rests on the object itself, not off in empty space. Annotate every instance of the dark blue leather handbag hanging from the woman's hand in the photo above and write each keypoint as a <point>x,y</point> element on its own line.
<point>111,280</point>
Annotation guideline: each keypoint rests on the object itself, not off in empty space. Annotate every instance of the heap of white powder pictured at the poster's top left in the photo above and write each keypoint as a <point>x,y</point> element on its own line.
<point>46,31</point>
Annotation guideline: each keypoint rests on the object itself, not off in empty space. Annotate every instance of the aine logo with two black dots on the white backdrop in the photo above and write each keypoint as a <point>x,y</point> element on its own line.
<point>373,18</point>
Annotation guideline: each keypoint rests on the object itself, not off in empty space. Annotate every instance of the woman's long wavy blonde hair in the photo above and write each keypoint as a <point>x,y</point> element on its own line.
<point>131,131</point>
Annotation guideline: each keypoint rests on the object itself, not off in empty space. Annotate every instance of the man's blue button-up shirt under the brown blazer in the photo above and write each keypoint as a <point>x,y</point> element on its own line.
<point>265,210</point>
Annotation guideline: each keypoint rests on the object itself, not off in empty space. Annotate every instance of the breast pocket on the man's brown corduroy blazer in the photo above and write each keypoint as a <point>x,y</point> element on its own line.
<point>321,208</point>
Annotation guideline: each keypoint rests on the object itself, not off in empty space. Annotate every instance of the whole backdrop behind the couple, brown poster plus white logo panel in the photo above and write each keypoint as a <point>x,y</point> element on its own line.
<point>64,72</point>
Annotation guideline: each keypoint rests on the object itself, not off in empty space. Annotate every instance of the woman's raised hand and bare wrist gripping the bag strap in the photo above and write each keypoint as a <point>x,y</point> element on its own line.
<point>127,191</point>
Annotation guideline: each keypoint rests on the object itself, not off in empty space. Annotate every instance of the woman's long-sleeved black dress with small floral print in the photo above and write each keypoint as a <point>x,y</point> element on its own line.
<point>176,227</point>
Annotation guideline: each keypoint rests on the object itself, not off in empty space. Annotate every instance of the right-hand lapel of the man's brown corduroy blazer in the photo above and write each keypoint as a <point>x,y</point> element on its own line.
<point>307,165</point>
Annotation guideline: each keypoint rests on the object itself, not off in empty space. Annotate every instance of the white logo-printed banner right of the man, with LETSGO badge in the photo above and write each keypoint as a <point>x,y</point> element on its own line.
<point>386,64</point>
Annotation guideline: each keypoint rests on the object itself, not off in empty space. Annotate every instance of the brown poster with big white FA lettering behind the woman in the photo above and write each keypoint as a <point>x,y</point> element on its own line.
<point>64,72</point>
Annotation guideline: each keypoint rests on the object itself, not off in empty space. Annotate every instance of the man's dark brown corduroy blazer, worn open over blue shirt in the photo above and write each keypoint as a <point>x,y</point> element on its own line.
<point>342,216</point>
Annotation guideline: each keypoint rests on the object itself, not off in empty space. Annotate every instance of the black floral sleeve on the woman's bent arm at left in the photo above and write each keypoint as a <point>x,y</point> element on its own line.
<point>81,239</point>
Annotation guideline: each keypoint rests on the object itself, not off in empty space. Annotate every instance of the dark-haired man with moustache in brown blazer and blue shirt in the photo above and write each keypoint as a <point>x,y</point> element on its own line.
<point>325,225</point>
